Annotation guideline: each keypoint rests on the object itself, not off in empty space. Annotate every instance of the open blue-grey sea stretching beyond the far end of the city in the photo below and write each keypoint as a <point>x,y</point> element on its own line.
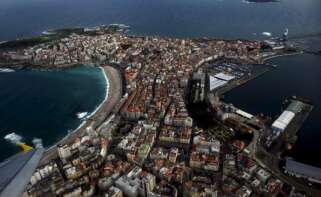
<point>177,18</point>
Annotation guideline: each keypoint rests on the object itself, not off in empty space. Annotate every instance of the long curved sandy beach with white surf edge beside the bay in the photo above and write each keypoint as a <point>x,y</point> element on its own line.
<point>113,94</point>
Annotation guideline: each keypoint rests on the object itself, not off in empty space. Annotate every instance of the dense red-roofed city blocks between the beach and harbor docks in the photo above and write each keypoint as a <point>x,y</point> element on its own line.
<point>146,143</point>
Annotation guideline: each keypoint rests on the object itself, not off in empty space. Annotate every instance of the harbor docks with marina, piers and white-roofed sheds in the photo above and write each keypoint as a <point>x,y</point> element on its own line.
<point>272,139</point>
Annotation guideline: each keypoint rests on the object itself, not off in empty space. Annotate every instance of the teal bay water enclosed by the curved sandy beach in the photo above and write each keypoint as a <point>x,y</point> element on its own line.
<point>44,104</point>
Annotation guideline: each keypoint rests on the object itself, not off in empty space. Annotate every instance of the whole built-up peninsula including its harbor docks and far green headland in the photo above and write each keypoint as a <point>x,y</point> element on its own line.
<point>146,139</point>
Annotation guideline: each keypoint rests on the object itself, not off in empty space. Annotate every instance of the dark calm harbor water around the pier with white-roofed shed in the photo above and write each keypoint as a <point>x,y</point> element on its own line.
<point>295,76</point>
